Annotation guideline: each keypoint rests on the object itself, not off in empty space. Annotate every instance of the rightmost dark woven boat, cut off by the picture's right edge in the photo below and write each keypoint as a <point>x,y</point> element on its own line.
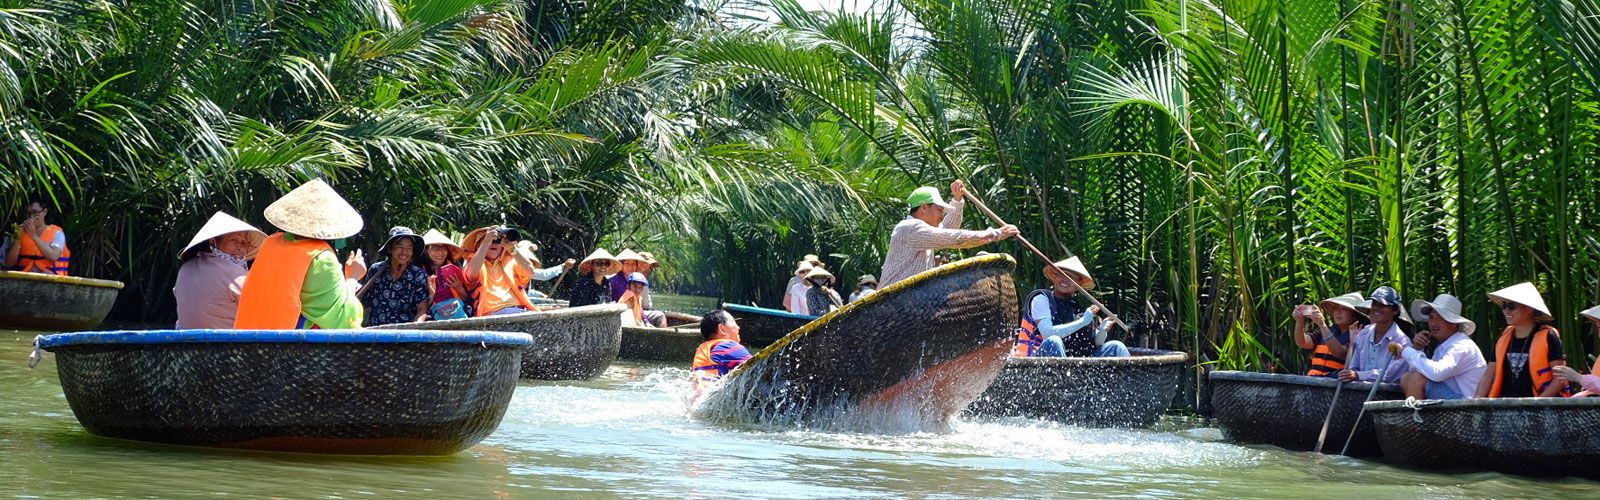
<point>1537,437</point>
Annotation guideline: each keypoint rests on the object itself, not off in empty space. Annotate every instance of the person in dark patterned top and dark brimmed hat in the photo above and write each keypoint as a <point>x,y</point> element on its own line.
<point>396,289</point>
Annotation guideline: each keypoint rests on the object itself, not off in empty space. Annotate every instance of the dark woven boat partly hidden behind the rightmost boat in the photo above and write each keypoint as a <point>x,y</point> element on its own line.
<point>1287,411</point>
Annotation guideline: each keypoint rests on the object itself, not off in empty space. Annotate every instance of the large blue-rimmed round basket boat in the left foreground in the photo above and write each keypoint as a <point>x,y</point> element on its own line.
<point>316,392</point>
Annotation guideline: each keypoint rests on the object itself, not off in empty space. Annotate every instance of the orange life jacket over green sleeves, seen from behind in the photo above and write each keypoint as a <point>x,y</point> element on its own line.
<point>271,296</point>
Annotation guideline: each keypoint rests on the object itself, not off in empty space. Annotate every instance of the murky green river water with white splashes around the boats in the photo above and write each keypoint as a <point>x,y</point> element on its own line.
<point>626,435</point>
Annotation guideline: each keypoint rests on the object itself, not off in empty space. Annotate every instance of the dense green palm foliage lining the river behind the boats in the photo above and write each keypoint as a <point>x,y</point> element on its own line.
<point>1214,163</point>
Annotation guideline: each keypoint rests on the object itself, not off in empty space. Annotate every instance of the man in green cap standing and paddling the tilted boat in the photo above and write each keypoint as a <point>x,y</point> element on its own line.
<point>932,225</point>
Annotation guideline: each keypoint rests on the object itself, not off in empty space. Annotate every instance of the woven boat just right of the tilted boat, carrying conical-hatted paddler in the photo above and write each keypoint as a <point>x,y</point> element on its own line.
<point>1087,392</point>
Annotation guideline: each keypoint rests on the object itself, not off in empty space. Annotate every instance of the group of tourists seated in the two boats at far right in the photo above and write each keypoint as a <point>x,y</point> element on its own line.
<point>1529,358</point>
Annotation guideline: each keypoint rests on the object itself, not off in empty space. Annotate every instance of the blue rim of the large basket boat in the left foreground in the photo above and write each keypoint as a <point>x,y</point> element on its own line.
<point>318,337</point>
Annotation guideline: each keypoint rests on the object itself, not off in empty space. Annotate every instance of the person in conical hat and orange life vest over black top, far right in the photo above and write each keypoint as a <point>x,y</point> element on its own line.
<point>1527,352</point>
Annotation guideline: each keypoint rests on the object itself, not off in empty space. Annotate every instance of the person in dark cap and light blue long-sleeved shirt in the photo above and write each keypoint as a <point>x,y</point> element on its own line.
<point>1369,352</point>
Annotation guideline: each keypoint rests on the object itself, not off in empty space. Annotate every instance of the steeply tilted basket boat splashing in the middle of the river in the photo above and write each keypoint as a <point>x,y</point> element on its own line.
<point>900,361</point>
